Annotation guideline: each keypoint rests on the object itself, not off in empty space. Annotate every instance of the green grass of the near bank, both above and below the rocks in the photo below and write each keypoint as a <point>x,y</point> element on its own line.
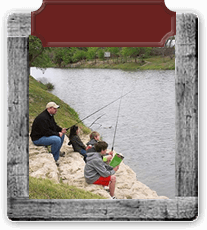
<point>65,117</point>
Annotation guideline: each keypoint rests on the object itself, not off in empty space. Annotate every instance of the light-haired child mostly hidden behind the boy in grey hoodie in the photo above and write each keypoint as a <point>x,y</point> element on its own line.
<point>94,138</point>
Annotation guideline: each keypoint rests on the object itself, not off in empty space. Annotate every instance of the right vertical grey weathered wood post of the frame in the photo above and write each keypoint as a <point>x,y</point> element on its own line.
<point>186,84</point>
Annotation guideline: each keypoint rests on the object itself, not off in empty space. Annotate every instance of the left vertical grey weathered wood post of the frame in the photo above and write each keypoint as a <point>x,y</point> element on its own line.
<point>17,112</point>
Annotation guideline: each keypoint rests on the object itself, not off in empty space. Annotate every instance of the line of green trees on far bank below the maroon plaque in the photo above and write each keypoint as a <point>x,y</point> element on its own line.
<point>43,57</point>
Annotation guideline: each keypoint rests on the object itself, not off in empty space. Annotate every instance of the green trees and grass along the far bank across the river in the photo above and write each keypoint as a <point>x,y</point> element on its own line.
<point>126,58</point>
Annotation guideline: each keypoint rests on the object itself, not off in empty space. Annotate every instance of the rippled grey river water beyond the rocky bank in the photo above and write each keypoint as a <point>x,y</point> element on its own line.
<point>146,125</point>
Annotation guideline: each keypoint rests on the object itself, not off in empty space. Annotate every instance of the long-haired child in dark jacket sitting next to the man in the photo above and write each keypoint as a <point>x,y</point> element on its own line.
<point>76,142</point>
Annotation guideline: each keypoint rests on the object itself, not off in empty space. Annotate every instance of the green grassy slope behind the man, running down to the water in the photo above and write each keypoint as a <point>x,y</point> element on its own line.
<point>39,97</point>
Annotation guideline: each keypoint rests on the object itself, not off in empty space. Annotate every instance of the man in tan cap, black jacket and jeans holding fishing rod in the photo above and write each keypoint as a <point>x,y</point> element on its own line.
<point>46,132</point>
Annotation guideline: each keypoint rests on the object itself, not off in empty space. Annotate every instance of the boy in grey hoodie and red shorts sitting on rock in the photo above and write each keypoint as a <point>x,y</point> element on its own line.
<point>97,172</point>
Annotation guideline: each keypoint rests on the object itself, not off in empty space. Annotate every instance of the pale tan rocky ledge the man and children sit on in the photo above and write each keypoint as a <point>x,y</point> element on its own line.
<point>71,172</point>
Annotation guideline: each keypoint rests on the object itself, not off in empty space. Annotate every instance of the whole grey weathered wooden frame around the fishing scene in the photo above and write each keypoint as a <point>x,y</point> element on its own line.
<point>19,206</point>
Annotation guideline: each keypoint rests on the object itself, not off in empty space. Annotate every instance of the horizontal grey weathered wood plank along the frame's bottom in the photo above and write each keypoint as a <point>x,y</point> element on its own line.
<point>179,208</point>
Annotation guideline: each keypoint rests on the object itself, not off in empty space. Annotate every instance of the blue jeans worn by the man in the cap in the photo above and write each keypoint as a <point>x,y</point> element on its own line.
<point>55,142</point>
